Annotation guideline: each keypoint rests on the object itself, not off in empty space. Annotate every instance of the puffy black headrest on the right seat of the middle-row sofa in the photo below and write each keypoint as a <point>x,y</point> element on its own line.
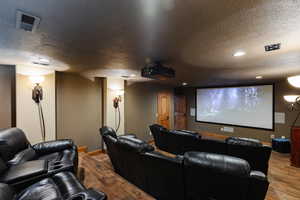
<point>218,163</point>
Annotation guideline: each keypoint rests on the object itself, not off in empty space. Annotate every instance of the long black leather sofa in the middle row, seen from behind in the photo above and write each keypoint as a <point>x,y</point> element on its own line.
<point>166,177</point>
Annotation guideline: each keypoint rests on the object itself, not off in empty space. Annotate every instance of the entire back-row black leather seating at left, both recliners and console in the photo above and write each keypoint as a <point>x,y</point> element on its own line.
<point>44,171</point>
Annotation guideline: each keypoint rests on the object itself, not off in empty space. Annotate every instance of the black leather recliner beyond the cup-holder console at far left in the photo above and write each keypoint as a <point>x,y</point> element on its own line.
<point>15,149</point>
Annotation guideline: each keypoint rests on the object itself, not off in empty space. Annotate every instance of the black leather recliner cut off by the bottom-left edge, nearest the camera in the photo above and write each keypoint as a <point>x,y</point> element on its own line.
<point>61,186</point>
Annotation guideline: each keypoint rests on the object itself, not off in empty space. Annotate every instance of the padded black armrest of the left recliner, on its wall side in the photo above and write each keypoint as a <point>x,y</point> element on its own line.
<point>53,146</point>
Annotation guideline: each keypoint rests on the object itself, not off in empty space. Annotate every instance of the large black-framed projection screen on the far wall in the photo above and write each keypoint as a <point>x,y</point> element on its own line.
<point>247,106</point>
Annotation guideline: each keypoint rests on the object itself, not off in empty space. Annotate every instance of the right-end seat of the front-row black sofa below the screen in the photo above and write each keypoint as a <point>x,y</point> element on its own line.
<point>251,150</point>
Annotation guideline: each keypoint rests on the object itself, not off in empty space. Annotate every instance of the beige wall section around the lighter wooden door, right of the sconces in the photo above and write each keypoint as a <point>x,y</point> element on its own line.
<point>141,107</point>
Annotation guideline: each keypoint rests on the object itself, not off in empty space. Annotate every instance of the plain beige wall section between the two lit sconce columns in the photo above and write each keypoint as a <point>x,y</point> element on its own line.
<point>79,109</point>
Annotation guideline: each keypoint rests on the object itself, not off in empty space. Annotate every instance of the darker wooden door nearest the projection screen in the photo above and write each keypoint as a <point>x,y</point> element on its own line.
<point>180,121</point>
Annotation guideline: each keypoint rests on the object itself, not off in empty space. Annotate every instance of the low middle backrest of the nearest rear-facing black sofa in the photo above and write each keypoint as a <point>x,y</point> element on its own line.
<point>164,176</point>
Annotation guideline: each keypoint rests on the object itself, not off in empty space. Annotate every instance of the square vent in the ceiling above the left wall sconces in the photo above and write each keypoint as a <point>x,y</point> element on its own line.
<point>27,21</point>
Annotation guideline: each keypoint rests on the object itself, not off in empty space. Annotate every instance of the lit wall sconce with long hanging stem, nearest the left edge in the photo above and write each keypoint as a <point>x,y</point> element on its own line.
<point>37,97</point>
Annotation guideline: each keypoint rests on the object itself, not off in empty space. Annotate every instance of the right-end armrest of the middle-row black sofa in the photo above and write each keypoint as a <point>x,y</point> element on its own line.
<point>259,185</point>
